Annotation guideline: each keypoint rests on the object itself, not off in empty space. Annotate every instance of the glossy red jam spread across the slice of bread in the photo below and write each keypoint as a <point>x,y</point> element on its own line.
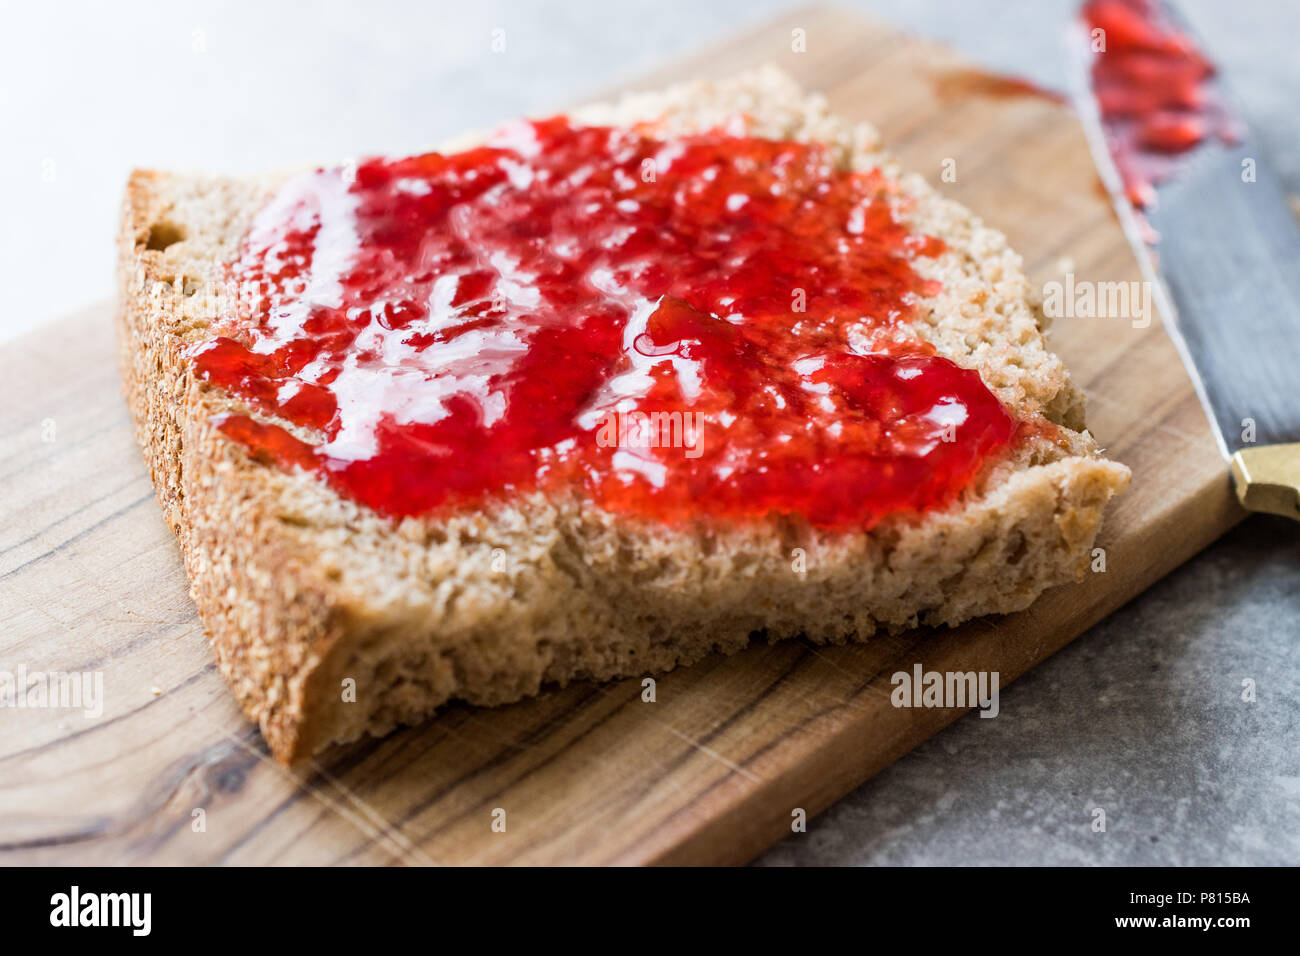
<point>709,327</point>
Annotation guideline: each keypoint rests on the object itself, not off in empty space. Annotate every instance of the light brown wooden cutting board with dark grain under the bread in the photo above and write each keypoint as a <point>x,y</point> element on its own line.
<point>717,768</point>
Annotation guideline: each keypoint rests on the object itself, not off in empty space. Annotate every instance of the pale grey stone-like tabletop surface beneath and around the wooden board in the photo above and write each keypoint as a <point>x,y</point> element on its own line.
<point>1142,717</point>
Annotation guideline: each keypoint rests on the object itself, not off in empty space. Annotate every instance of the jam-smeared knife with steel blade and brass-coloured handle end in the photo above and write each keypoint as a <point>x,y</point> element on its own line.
<point>1225,270</point>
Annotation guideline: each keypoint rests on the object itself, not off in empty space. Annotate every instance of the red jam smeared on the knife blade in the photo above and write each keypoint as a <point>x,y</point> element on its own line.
<point>1152,88</point>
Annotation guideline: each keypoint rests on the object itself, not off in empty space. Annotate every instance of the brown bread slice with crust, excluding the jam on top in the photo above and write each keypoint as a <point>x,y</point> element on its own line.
<point>304,591</point>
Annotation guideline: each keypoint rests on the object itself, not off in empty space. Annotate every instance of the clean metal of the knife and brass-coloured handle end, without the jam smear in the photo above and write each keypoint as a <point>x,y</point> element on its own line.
<point>1227,279</point>
